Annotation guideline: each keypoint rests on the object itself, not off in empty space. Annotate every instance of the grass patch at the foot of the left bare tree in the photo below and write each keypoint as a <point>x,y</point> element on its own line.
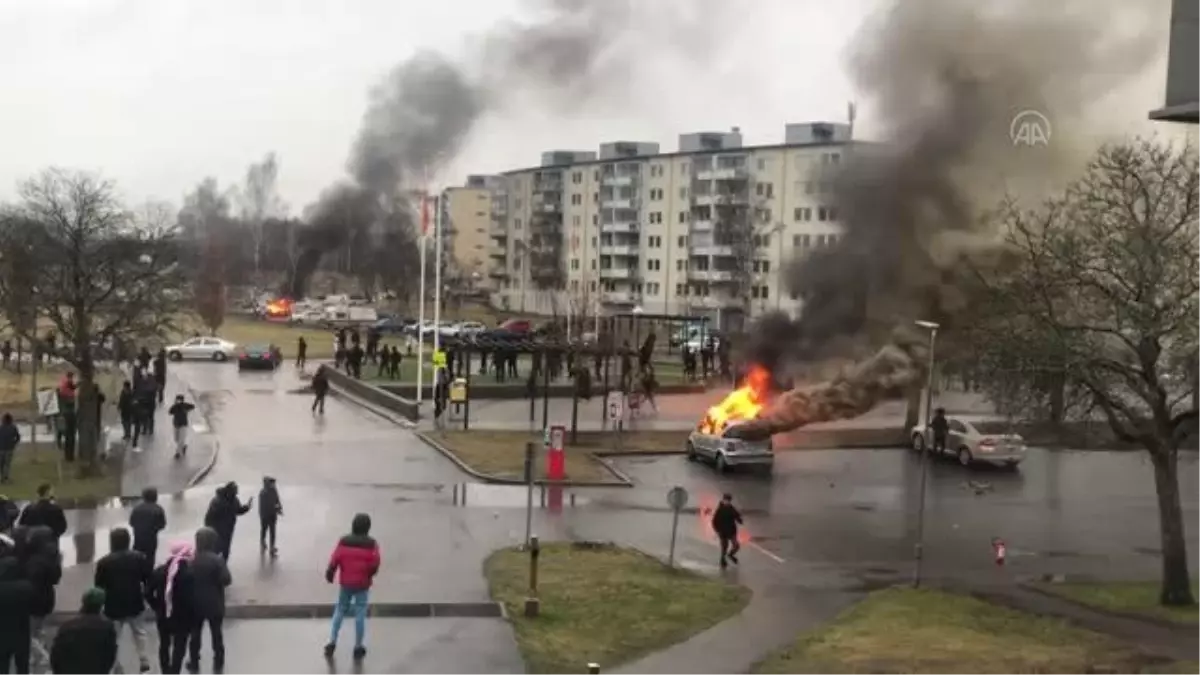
<point>35,465</point>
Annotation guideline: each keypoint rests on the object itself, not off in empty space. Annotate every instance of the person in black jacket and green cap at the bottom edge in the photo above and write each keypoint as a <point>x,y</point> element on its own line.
<point>87,644</point>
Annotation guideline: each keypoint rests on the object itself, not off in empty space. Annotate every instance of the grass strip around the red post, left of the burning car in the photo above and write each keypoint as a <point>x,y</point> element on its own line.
<point>502,453</point>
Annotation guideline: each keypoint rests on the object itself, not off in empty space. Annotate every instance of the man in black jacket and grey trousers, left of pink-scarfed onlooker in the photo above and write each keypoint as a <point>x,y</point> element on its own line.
<point>123,576</point>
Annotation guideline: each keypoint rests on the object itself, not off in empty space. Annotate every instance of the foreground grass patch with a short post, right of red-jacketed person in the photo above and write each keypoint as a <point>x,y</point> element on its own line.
<point>605,606</point>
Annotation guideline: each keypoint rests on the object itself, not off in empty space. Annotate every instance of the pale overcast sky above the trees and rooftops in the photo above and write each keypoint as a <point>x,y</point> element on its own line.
<point>159,94</point>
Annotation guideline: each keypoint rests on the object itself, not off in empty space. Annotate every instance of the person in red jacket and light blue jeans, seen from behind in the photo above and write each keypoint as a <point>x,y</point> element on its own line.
<point>356,561</point>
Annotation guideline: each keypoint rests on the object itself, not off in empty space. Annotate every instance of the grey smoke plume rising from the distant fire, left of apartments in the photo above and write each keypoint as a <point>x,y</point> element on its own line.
<point>567,53</point>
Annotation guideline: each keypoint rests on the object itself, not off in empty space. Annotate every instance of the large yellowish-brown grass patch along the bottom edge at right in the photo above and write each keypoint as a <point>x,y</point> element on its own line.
<point>927,632</point>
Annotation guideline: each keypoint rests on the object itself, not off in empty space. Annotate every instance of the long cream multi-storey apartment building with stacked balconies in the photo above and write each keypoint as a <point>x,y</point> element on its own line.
<point>706,230</point>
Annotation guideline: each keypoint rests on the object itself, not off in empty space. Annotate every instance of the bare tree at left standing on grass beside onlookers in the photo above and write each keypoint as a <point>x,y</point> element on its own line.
<point>98,273</point>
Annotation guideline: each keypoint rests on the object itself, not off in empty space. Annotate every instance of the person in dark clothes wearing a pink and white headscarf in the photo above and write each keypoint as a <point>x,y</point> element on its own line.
<point>171,594</point>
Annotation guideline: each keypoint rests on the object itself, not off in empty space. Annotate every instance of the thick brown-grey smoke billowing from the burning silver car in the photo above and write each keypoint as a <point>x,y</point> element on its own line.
<point>949,77</point>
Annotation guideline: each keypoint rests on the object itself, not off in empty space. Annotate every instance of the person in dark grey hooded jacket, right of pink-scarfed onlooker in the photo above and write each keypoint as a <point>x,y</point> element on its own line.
<point>211,578</point>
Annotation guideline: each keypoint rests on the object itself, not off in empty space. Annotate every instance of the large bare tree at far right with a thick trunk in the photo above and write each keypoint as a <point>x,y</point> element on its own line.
<point>1103,307</point>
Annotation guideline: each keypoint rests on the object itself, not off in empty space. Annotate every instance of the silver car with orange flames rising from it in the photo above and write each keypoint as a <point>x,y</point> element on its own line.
<point>716,440</point>
